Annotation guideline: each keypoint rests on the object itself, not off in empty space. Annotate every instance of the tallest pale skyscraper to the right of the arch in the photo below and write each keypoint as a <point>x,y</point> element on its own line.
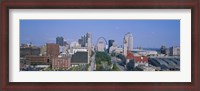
<point>128,43</point>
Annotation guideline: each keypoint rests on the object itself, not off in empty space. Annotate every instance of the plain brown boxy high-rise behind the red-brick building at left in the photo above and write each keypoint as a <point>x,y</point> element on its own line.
<point>52,49</point>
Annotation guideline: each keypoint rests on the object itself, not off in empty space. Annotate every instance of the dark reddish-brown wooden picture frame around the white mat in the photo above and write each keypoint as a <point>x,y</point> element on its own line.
<point>119,4</point>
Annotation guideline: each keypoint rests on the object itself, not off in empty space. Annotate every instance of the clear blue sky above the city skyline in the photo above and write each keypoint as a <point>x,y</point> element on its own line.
<point>146,33</point>
